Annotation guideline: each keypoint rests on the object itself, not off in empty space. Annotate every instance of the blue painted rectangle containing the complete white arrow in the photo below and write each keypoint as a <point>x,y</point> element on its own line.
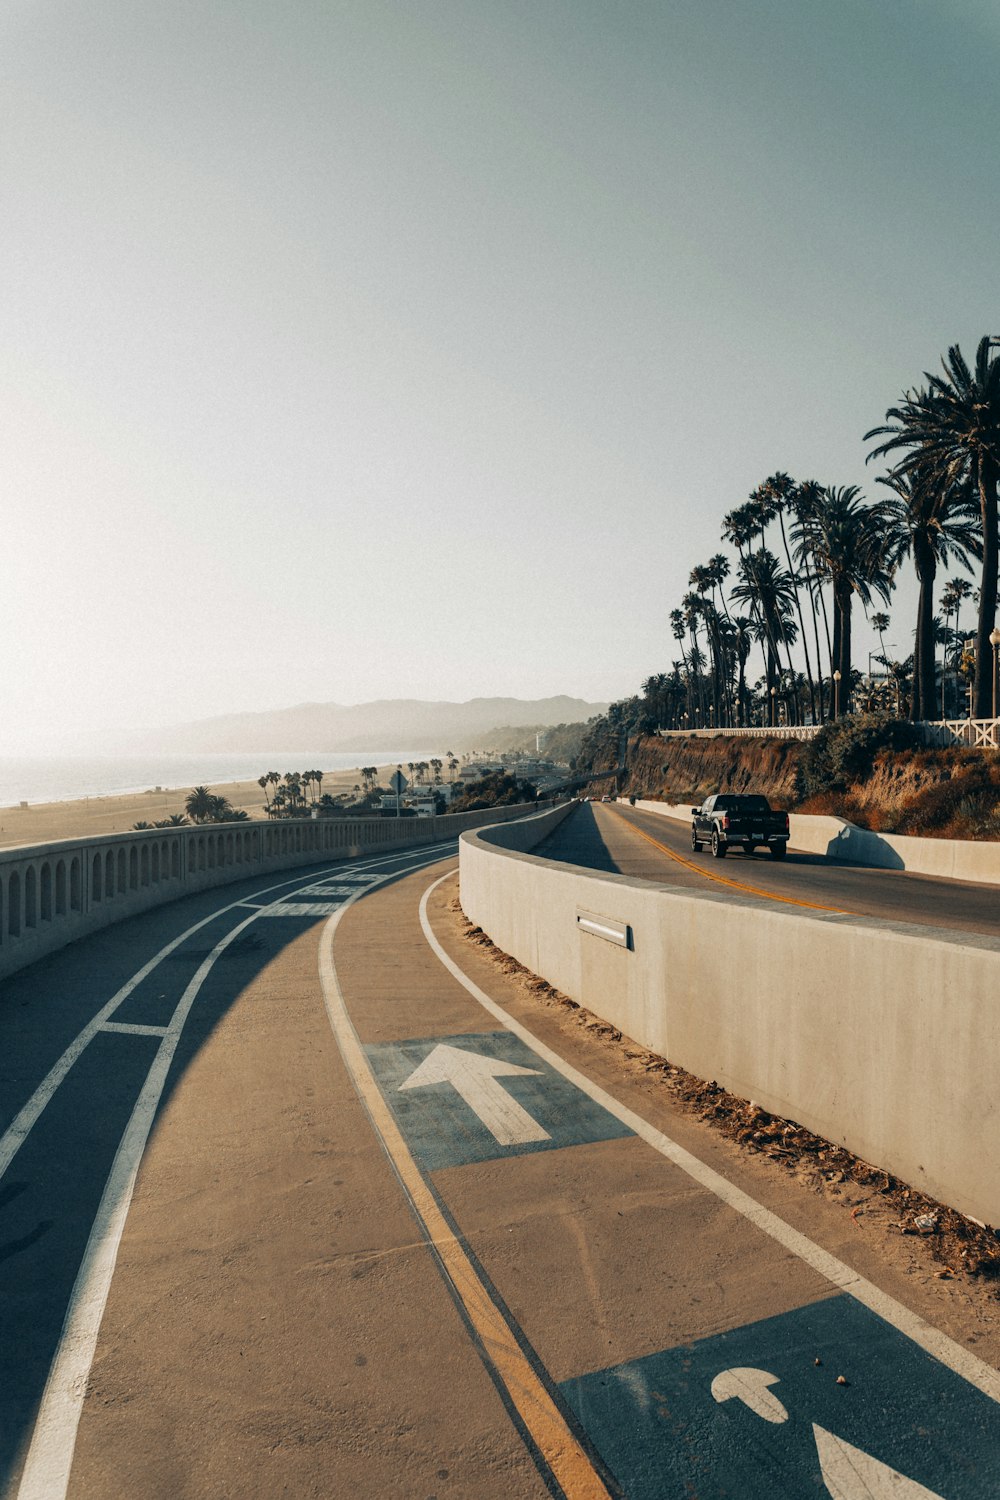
<point>452,1120</point>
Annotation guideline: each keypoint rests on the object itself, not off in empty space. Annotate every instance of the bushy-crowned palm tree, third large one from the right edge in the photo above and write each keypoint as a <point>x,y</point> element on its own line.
<point>846,539</point>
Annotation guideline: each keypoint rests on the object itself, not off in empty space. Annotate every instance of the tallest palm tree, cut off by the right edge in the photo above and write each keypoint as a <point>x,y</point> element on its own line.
<point>953,425</point>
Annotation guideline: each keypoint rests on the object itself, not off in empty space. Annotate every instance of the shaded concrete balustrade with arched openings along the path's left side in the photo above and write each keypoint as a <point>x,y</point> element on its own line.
<point>52,895</point>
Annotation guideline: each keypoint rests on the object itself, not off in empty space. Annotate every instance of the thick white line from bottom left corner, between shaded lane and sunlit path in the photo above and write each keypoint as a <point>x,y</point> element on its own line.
<point>49,1463</point>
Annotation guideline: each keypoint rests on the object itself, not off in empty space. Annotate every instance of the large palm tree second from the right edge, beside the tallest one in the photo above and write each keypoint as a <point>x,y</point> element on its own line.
<point>936,523</point>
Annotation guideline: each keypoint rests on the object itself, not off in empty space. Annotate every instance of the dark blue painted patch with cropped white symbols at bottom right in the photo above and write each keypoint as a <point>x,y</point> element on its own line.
<point>750,1412</point>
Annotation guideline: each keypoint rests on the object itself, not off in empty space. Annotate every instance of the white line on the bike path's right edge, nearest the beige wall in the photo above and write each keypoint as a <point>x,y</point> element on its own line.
<point>836,1271</point>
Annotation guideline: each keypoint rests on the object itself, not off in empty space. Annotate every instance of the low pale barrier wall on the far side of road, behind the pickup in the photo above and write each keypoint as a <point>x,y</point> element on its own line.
<point>951,859</point>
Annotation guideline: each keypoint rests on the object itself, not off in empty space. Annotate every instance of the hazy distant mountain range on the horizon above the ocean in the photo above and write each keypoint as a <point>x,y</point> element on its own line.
<point>394,724</point>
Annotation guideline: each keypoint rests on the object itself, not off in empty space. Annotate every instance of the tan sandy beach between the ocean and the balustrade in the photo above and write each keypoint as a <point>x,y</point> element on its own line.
<point>43,823</point>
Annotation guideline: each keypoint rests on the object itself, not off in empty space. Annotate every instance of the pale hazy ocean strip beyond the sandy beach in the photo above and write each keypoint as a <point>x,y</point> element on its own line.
<point>62,779</point>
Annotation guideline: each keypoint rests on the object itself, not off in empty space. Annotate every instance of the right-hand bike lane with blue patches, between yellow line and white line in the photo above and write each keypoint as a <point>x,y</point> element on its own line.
<point>692,1348</point>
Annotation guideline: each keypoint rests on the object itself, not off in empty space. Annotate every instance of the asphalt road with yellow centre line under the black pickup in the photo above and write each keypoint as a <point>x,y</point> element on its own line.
<point>621,839</point>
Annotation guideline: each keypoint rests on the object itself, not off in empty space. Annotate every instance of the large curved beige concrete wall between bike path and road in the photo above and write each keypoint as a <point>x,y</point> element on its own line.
<point>879,1037</point>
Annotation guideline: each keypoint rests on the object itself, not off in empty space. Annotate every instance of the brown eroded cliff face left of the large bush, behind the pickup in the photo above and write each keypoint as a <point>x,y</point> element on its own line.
<point>689,770</point>
